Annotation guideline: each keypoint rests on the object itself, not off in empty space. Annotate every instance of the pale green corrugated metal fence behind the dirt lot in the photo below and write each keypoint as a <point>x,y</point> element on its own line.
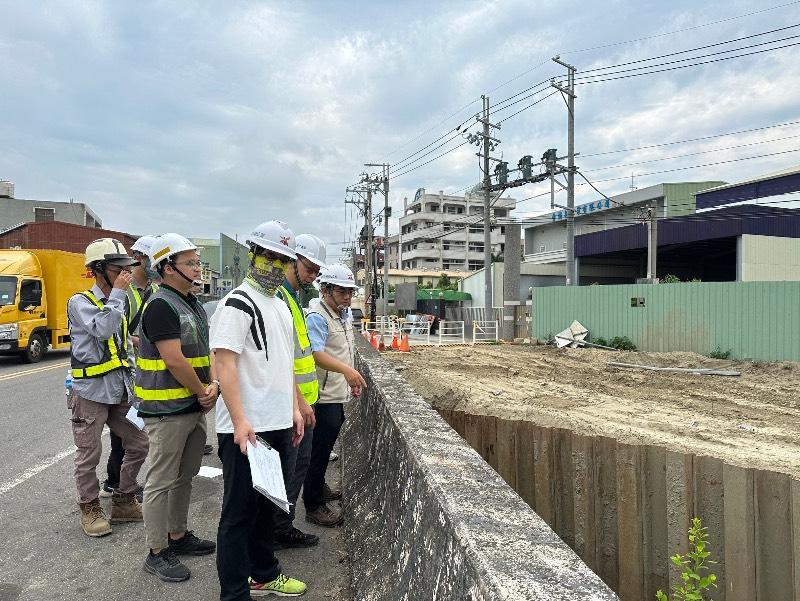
<point>754,320</point>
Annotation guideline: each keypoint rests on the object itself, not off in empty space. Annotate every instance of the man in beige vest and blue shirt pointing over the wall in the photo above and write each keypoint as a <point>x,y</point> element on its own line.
<point>330,331</point>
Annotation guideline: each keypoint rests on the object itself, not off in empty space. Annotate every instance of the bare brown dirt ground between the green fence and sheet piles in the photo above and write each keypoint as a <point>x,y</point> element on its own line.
<point>752,420</point>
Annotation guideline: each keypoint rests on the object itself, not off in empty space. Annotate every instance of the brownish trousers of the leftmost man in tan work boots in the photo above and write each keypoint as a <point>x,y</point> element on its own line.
<point>88,418</point>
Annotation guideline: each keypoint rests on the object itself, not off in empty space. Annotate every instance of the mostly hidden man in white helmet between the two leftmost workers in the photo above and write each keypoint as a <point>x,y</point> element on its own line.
<point>142,286</point>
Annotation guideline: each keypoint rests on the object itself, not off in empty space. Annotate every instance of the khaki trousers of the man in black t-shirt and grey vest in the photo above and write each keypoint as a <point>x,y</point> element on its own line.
<point>176,452</point>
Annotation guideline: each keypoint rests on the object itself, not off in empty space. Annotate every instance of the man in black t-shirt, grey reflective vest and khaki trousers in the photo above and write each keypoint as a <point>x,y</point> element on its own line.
<point>175,388</point>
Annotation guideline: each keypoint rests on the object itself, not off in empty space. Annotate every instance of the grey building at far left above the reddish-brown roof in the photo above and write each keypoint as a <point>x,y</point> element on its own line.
<point>16,211</point>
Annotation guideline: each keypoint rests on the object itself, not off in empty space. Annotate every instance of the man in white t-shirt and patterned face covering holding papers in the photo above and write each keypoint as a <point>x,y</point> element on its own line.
<point>253,342</point>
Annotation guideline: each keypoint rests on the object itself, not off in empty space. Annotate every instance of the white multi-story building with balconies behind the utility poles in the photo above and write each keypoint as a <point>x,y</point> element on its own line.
<point>442,232</point>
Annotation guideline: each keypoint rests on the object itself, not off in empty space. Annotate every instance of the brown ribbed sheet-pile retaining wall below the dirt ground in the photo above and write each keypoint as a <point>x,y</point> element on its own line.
<point>625,509</point>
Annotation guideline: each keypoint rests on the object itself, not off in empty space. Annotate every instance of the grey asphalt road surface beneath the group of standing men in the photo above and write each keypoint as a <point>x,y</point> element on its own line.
<point>44,554</point>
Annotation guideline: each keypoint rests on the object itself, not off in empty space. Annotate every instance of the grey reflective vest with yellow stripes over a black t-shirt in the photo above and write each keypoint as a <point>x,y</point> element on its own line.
<point>159,391</point>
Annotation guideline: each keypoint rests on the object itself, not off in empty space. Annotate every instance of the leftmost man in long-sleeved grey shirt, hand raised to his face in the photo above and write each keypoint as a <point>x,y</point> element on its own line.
<point>100,358</point>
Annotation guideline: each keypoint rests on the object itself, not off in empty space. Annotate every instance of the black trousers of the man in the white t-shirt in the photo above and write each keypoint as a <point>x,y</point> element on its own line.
<point>246,523</point>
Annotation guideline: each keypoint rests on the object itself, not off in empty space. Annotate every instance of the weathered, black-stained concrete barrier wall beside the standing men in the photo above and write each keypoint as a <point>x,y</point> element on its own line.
<point>427,518</point>
